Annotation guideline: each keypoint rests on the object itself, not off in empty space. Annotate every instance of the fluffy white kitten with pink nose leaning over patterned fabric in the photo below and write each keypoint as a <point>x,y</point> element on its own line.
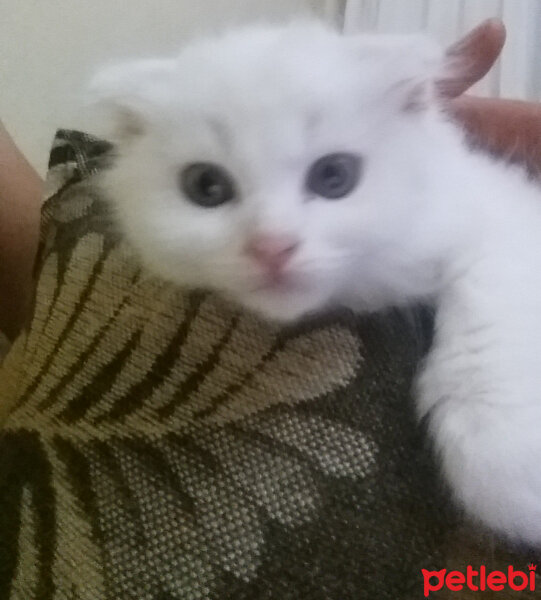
<point>291,168</point>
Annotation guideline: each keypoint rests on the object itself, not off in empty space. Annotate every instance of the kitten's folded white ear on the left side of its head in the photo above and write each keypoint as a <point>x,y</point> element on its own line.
<point>124,97</point>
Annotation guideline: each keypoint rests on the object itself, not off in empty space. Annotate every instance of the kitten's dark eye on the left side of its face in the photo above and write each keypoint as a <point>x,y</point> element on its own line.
<point>206,184</point>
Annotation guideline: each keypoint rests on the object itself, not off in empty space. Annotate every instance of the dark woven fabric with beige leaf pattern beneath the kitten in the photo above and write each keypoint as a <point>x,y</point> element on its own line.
<point>159,444</point>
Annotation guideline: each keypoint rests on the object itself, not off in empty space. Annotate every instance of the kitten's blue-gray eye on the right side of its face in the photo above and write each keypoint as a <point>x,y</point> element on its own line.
<point>334,176</point>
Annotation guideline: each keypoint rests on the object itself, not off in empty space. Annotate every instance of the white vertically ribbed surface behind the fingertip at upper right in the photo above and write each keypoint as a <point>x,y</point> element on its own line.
<point>518,72</point>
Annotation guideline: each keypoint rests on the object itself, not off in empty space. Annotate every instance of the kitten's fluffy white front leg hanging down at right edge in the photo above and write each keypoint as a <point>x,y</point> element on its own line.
<point>481,389</point>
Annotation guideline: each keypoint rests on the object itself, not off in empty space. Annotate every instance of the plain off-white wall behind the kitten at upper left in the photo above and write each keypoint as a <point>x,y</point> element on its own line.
<point>48,48</point>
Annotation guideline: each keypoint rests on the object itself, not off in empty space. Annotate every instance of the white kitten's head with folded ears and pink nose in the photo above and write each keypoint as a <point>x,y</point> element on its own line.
<point>273,164</point>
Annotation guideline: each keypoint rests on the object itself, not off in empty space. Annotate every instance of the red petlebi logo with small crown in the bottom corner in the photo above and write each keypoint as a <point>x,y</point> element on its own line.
<point>479,580</point>
